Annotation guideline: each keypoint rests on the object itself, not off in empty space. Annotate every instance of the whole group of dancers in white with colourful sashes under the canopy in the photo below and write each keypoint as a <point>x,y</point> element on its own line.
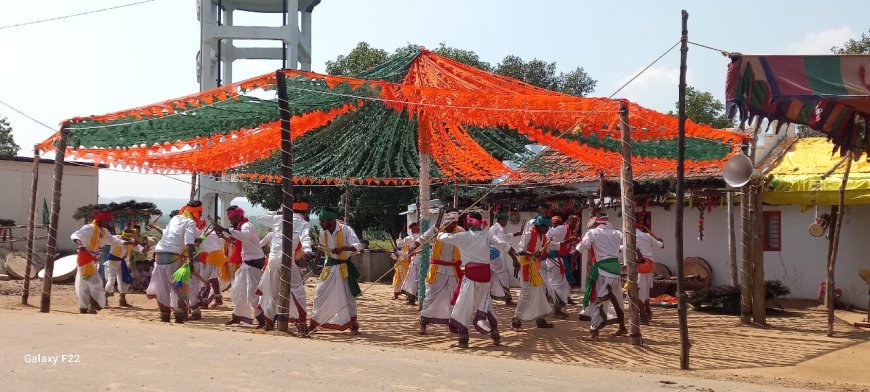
<point>469,268</point>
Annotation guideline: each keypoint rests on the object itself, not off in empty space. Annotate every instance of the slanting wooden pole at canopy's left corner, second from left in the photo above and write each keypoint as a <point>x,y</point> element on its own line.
<point>51,249</point>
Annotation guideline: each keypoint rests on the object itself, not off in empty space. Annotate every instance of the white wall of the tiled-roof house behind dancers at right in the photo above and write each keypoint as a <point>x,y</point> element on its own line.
<point>801,264</point>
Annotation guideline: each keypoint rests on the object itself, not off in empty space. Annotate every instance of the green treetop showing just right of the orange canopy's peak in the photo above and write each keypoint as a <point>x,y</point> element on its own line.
<point>543,74</point>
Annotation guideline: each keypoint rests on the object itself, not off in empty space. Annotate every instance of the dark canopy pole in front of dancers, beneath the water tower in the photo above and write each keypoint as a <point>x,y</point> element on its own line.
<point>287,249</point>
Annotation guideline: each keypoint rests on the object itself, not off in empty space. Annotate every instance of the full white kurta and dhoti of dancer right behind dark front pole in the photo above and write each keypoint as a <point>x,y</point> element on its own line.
<point>270,283</point>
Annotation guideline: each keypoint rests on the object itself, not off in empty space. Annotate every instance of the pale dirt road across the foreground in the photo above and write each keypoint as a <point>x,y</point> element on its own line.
<point>72,352</point>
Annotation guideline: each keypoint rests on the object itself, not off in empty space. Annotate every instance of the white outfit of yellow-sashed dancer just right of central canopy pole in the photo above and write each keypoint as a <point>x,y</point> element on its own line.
<point>437,305</point>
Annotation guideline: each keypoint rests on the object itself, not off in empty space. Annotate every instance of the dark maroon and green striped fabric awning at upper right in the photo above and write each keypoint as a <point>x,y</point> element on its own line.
<point>830,94</point>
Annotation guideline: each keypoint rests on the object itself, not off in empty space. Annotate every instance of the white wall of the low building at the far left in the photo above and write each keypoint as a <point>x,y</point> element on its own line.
<point>80,187</point>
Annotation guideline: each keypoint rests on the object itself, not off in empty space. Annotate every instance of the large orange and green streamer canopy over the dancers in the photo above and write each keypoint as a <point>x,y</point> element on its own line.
<point>369,129</point>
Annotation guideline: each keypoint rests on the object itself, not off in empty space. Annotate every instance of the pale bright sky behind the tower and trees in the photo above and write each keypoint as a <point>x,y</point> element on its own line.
<point>146,53</point>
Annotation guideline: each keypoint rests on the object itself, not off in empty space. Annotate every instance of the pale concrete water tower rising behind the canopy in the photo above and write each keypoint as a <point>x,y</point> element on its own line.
<point>217,54</point>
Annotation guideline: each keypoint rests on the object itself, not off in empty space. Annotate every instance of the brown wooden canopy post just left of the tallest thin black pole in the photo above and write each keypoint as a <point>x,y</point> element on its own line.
<point>628,227</point>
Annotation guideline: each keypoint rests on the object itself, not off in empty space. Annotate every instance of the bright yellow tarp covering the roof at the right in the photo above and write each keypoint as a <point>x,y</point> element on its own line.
<point>797,176</point>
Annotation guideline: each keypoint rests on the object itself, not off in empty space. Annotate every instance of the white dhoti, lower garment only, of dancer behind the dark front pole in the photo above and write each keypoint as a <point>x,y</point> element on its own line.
<point>268,288</point>
